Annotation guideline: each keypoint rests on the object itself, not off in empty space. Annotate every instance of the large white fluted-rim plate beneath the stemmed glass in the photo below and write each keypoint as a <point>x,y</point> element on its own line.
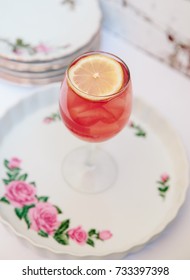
<point>132,210</point>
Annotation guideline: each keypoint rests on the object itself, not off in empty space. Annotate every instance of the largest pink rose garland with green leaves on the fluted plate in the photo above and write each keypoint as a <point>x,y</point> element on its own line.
<point>39,214</point>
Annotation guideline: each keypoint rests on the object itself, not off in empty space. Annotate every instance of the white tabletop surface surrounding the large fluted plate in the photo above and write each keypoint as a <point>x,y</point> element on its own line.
<point>163,88</point>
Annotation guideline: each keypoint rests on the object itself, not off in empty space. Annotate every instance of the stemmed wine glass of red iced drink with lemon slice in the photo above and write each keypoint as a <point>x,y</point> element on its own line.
<point>95,104</point>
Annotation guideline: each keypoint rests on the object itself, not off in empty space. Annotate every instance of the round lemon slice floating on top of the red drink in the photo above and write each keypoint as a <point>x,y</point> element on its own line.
<point>96,77</point>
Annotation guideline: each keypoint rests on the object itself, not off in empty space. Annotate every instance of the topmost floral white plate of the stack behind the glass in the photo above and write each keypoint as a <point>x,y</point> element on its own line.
<point>46,30</point>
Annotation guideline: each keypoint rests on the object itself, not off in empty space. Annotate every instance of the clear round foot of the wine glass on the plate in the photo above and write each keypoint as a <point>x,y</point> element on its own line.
<point>89,170</point>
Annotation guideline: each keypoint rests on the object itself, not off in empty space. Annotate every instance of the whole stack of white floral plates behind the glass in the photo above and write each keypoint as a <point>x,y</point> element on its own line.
<point>38,39</point>
